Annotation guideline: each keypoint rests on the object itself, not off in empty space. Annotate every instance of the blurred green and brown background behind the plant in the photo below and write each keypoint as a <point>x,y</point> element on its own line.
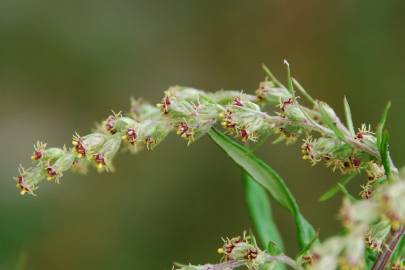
<point>66,64</point>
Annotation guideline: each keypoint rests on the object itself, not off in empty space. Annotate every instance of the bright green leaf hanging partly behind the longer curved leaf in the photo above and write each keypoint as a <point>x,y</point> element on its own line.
<point>260,212</point>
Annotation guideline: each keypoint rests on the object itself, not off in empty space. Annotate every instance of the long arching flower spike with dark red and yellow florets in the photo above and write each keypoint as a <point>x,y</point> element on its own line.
<point>191,113</point>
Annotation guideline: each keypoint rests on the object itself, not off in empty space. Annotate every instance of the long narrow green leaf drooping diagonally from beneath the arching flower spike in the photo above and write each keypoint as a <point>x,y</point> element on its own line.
<point>268,178</point>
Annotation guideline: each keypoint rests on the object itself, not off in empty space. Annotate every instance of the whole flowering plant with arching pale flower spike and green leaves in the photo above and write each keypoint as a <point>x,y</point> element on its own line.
<point>373,221</point>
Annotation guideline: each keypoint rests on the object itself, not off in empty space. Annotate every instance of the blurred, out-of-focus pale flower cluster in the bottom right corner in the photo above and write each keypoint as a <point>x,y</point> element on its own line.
<point>368,224</point>
